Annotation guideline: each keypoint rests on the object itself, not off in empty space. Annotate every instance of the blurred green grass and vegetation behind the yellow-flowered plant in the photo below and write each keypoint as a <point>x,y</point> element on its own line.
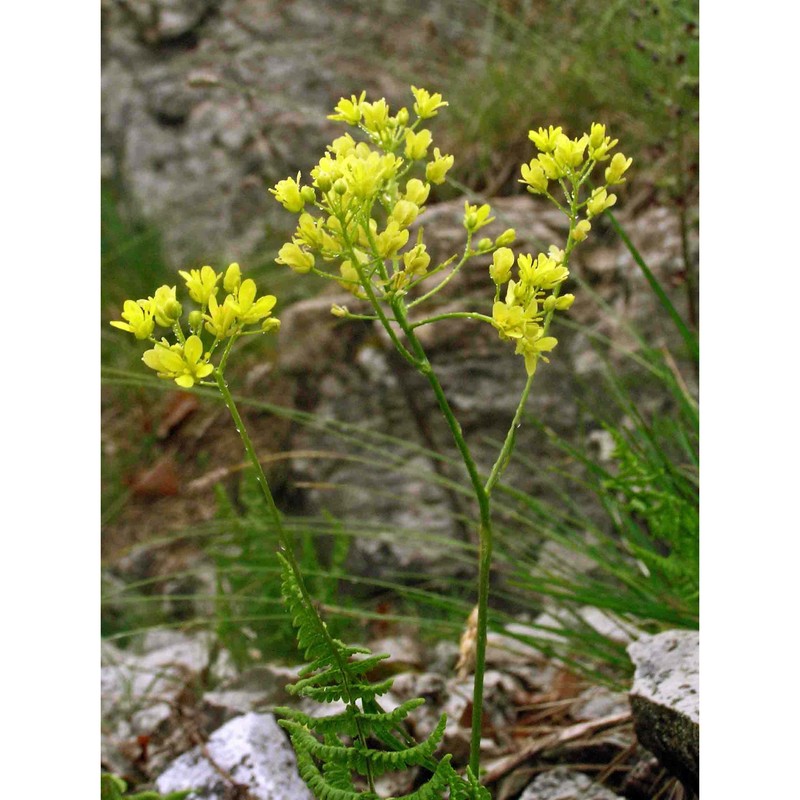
<point>633,65</point>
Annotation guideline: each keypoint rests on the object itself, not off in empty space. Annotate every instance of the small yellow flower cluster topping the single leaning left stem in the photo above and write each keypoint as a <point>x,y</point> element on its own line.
<point>186,361</point>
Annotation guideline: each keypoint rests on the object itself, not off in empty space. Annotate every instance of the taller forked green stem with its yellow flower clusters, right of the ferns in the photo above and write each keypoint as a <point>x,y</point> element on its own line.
<point>355,216</point>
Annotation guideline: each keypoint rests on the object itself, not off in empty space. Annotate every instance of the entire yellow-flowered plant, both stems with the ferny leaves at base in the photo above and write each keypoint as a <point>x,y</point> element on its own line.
<point>354,226</point>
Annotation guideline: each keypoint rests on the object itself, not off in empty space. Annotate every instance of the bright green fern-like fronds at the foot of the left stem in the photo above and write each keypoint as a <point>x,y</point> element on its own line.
<point>335,752</point>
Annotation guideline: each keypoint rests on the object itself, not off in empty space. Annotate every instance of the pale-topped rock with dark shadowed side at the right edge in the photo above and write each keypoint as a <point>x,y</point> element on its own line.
<point>665,700</point>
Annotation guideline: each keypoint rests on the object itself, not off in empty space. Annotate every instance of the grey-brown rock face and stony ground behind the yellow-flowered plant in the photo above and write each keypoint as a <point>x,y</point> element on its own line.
<point>205,104</point>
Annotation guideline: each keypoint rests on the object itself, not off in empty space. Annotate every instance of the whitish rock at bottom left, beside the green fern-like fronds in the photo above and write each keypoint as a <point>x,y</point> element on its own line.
<point>254,752</point>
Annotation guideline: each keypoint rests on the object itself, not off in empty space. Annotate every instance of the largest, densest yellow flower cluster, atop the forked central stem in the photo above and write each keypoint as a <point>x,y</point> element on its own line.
<point>360,202</point>
